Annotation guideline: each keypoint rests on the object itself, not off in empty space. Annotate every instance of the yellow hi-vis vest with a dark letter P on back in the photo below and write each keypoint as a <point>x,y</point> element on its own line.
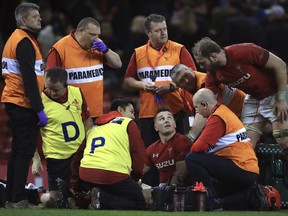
<point>107,147</point>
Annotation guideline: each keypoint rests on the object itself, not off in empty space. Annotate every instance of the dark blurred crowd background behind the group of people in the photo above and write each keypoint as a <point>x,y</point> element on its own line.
<point>263,22</point>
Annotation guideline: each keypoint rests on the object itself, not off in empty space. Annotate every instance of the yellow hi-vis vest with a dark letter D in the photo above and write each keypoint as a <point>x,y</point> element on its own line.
<point>65,129</point>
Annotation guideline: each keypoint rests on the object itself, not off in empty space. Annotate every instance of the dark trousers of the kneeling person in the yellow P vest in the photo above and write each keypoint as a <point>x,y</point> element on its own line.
<point>124,195</point>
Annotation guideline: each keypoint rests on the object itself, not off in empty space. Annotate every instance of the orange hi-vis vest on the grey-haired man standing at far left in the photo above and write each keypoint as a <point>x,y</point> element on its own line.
<point>14,89</point>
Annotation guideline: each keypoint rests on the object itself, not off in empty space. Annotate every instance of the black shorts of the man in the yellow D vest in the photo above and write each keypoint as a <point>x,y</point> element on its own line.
<point>58,168</point>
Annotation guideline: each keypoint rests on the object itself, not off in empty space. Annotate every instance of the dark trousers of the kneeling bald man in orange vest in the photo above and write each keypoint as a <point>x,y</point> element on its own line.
<point>223,178</point>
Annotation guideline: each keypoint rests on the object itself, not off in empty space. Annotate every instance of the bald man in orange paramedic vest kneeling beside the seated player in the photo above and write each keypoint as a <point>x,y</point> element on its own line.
<point>224,152</point>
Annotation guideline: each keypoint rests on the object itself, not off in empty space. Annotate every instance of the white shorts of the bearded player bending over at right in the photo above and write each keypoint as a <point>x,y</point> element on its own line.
<point>255,111</point>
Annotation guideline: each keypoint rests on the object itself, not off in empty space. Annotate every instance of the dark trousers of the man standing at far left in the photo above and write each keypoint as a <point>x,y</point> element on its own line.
<point>24,141</point>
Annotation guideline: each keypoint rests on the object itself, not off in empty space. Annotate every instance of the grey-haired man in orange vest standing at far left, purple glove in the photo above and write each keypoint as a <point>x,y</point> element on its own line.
<point>24,77</point>
